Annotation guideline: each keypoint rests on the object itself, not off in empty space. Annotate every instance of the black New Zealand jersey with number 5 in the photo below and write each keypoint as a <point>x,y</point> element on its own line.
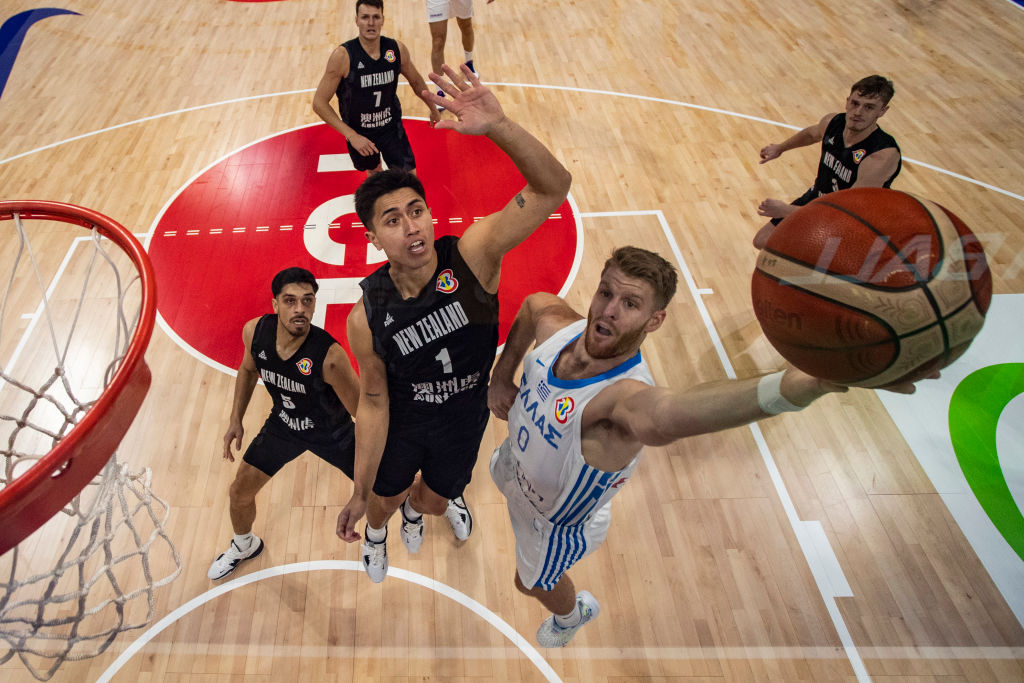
<point>304,402</point>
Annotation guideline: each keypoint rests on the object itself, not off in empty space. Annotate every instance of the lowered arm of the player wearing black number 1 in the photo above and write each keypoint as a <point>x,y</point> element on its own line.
<point>372,425</point>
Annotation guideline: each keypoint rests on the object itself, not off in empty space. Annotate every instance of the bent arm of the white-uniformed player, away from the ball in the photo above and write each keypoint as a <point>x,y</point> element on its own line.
<point>540,317</point>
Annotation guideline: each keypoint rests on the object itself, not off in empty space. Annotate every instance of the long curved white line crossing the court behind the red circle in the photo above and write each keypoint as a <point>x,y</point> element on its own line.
<point>609,94</point>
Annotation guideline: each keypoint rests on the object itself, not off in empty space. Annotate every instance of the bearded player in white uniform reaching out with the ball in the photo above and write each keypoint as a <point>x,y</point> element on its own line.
<point>585,408</point>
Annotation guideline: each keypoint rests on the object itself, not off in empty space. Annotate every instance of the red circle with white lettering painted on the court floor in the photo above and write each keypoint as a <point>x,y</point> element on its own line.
<point>289,201</point>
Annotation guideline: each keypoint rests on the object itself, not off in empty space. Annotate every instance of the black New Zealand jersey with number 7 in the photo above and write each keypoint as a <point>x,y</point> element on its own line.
<point>367,98</point>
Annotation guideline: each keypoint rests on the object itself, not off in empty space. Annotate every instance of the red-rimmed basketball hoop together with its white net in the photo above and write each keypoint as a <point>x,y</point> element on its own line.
<point>72,382</point>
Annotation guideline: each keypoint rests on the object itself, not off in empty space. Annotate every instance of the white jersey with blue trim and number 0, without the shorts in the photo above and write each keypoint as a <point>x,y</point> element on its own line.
<point>545,434</point>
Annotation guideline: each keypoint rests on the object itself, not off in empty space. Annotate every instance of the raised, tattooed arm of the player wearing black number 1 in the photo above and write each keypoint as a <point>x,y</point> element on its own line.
<point>479,113</point>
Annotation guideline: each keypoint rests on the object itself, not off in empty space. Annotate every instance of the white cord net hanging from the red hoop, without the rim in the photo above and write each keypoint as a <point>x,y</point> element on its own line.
<point>67,319</point>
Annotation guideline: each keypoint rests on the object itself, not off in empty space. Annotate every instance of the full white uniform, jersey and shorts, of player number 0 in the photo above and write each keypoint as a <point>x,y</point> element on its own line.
<point>560,504</point>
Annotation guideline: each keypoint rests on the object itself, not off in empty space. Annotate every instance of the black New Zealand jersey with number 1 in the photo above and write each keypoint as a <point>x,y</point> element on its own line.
<point>438,348</point>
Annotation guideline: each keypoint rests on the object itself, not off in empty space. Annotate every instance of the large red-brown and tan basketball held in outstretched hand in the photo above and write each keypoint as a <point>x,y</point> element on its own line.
<point>871,287</point>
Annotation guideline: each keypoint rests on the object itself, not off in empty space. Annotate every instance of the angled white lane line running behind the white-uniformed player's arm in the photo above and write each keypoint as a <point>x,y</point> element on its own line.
<point>814,542</point>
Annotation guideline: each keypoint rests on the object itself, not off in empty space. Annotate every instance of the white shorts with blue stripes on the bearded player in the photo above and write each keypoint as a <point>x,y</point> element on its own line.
<point>543,552</point>
